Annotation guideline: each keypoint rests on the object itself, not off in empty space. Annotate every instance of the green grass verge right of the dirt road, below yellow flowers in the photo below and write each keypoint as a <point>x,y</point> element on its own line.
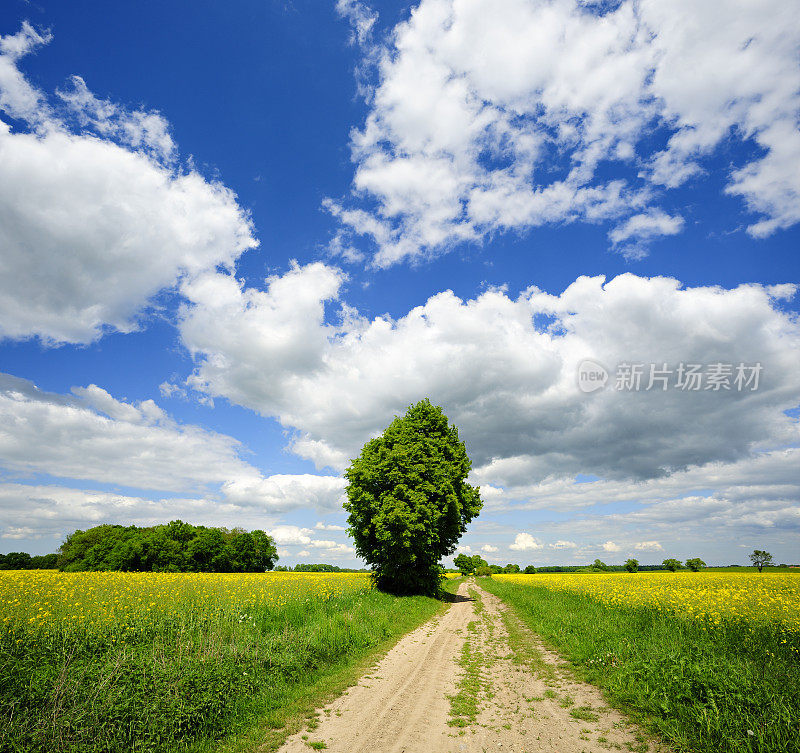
<point>732,689</point>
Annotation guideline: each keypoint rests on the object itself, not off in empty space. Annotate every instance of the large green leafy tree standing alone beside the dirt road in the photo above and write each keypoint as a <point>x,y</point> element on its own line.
<point>409,501</point>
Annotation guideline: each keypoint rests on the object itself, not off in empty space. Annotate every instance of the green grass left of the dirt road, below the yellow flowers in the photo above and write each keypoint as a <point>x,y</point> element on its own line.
<point>222,685</point>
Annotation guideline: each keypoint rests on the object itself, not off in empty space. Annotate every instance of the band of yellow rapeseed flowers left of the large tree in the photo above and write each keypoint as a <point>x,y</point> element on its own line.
<point>120,604</point>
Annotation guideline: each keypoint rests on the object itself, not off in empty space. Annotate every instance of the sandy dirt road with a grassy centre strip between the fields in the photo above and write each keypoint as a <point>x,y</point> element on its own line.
<point>472,680</point>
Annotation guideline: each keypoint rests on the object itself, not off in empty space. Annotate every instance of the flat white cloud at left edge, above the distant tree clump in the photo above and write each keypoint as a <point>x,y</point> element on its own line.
<point>91,435</point>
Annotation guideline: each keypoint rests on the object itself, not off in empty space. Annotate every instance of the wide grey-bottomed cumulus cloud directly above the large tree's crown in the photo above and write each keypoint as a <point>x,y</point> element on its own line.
<point>505,371</point>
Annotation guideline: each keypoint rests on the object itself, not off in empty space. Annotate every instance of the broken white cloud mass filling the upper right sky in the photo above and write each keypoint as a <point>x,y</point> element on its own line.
<point>488,116</point>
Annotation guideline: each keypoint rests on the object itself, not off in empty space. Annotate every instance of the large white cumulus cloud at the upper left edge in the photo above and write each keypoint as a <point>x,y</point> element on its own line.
<point>96,216</point>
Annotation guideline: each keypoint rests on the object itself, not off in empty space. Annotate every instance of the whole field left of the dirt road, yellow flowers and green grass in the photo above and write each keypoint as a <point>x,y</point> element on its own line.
<point>162,661</point>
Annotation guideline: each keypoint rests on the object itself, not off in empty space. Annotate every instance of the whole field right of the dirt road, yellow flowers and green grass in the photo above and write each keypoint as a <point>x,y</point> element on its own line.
<point>709,660</point>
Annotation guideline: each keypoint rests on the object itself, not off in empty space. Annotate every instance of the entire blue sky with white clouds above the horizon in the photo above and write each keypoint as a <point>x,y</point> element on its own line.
<point>237,239</point>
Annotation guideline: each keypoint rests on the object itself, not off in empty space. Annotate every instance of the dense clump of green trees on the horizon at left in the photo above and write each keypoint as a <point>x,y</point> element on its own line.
<point>176,547</point>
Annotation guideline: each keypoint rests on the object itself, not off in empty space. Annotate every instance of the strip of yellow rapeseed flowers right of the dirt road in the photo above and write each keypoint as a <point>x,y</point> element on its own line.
<point>708,596</point>
